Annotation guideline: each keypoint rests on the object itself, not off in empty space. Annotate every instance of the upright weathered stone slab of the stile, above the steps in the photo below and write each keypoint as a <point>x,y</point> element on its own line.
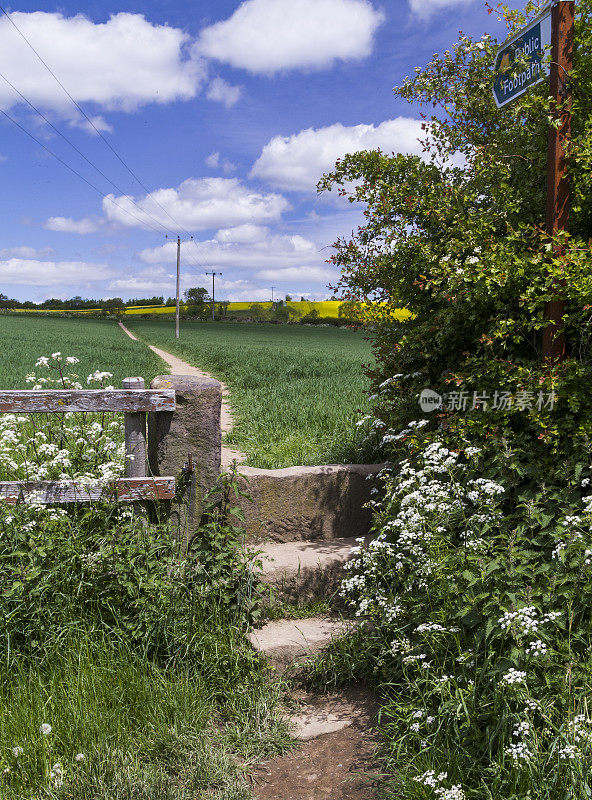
<point>308,503</point>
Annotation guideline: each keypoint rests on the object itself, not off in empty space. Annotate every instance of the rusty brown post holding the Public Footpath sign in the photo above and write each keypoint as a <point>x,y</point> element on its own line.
<point>562,46</point>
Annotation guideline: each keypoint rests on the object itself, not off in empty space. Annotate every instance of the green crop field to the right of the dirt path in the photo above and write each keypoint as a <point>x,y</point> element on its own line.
<point>296,392</point>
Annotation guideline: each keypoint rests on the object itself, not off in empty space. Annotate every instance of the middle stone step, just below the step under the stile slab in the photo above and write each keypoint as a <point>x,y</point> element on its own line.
<point>286,641</point>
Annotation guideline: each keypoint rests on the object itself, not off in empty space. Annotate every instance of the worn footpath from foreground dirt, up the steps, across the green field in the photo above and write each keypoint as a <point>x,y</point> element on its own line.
<point>337,731</point>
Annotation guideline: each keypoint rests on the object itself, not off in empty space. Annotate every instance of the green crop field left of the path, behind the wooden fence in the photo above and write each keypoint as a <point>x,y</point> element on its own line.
<point>99,344</point>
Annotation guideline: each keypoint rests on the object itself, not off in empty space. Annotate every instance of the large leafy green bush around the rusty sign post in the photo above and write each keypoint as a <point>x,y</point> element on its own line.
<point>457,236</point>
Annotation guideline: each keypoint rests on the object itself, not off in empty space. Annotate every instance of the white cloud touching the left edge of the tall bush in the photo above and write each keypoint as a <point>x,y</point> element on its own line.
<point>297,162</point>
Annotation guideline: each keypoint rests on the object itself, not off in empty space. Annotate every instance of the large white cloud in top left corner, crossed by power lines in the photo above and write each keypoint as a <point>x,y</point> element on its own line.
<point>120,64</point>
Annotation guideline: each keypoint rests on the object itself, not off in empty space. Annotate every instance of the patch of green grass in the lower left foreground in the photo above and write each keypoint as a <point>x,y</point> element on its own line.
<point>145,732</point>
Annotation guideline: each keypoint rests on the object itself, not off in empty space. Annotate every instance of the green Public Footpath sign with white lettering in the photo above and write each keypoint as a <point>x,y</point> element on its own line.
<point>528,47</point>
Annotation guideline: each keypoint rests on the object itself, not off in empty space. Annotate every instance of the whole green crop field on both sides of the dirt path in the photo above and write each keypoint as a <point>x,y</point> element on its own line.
<point>296,392</point>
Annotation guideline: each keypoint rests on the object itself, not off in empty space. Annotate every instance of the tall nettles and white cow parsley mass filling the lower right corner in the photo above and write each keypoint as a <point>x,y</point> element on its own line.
<point>480,630</point>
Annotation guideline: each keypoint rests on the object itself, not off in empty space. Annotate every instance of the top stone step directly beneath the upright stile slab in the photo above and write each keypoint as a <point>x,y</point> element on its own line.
<point>303,571</point>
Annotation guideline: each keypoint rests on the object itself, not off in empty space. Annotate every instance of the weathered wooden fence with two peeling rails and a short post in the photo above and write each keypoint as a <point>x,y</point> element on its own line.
<point>134,401</point>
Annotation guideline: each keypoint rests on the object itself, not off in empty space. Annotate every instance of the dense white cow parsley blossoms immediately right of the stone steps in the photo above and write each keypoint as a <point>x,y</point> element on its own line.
<point>421,504</point>
